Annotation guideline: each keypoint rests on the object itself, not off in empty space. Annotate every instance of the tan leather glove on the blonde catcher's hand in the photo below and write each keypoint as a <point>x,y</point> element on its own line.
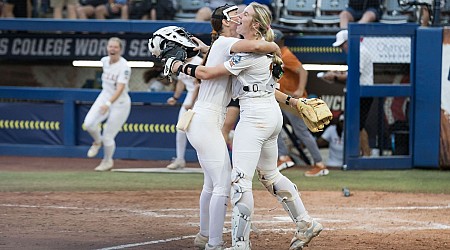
<point>315,113</point>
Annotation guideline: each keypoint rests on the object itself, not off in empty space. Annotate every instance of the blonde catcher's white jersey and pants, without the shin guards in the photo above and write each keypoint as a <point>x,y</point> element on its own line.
<point>255,136</point>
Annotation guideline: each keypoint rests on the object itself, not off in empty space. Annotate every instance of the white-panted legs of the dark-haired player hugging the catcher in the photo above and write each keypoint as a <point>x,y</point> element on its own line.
<point>214,159</point>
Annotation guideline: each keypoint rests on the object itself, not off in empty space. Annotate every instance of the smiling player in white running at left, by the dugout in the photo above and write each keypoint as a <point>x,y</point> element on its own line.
<point>113,104</point>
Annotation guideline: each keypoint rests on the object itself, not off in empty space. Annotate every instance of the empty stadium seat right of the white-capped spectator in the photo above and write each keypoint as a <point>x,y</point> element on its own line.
<point>394,13</point>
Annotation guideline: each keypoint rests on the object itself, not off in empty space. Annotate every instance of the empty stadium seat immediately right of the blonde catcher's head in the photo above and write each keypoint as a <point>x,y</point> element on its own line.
<point>298,12</point>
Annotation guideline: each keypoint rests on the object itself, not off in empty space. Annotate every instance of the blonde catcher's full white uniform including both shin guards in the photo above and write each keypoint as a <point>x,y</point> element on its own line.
<point>255,145</point>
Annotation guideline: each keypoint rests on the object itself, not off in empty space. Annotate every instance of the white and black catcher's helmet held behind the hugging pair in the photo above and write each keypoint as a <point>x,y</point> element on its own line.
<point>175,34</point>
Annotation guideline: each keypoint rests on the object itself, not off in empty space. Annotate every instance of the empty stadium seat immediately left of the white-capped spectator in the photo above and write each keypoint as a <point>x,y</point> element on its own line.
<point>329,12</point>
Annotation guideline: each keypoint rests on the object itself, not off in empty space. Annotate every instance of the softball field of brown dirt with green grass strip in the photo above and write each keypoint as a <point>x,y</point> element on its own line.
<point>60,203</point>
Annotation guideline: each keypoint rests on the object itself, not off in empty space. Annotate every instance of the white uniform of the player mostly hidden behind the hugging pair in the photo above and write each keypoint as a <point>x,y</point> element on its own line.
<point>189,82</point>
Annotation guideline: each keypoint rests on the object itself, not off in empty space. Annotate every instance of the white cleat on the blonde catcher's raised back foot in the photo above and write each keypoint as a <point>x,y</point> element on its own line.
<point>305,233</point>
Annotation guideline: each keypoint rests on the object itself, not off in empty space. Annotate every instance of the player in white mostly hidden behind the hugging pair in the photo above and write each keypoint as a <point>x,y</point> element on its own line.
<point>188,83</point>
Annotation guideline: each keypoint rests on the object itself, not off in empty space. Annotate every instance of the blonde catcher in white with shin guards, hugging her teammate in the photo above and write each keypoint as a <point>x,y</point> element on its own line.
<point>255,139</point>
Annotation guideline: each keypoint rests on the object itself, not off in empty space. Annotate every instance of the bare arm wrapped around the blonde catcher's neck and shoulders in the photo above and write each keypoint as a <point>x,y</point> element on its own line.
<point>252,46</point>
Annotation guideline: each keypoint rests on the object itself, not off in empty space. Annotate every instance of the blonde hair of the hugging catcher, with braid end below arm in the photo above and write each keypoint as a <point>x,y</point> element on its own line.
<point>264,18</point>
